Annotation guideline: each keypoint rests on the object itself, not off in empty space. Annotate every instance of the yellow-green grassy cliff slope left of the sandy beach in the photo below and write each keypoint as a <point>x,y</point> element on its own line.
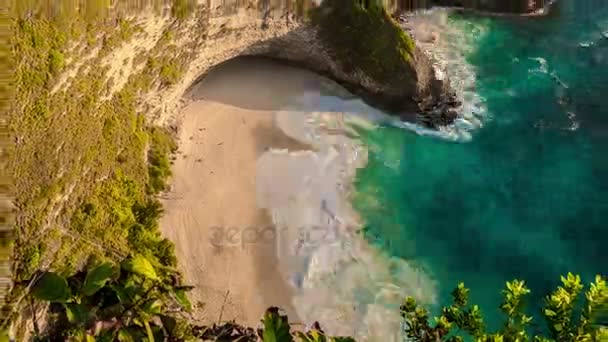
<point>86,165</point>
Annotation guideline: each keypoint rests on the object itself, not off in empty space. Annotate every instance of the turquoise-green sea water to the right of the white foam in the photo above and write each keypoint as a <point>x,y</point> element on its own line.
<point>527,197</point>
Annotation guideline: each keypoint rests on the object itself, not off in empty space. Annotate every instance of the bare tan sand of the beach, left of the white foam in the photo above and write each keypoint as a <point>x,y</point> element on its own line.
<point>210,210</point>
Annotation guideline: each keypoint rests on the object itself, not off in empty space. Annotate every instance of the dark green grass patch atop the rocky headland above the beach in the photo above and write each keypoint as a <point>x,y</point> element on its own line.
<point>362,36</point>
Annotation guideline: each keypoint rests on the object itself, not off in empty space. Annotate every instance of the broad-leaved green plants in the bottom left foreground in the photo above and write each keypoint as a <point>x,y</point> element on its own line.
<point>109,303</point>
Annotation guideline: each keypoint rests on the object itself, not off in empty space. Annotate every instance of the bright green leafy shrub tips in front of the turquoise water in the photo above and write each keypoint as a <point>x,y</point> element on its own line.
<point>568,319</point>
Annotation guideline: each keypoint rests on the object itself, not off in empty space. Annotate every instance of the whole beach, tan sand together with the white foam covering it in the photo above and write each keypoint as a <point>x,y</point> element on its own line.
<point>259,205</point>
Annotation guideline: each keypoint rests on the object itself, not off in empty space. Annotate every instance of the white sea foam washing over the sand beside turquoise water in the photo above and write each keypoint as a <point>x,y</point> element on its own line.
<point>338,278</point>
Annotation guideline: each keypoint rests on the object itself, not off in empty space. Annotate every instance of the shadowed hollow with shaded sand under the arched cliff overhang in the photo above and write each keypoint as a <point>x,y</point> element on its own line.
<point>275,73</point>
